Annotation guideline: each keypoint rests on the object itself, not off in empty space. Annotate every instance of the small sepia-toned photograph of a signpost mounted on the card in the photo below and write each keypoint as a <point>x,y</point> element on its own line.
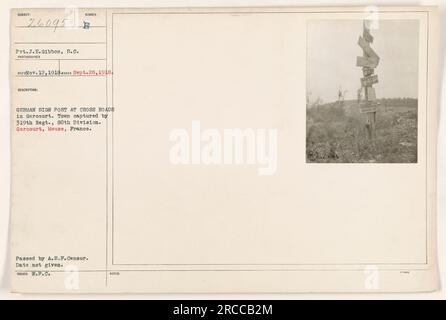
<point>362,91</point>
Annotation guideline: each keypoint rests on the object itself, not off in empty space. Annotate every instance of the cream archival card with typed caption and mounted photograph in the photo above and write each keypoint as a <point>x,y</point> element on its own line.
<point>225,150</point>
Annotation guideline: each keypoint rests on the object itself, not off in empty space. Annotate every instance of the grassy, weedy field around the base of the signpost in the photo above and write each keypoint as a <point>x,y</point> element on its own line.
<point>336,133</point>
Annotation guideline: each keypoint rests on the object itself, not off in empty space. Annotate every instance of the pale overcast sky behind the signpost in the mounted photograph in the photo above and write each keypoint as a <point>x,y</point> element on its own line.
<point>332,51</point>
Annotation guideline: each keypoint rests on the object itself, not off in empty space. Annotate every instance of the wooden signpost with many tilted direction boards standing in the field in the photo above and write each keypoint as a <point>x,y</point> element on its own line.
<point>369,61</point>
